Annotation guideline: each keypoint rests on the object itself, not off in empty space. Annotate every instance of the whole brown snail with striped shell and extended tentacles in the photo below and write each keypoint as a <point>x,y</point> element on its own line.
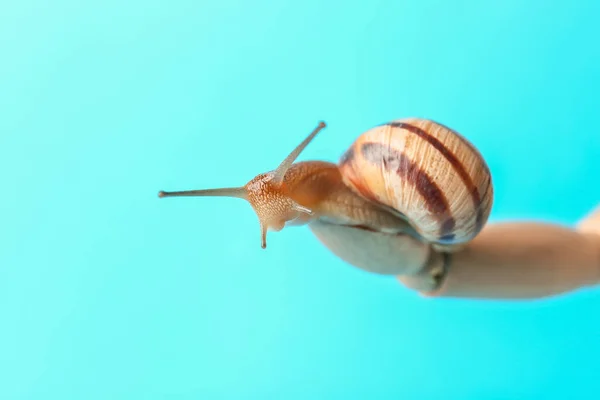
<point>411,177</point>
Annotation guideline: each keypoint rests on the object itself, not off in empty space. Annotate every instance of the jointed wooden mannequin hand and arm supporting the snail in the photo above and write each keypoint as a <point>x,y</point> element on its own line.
<point>512,260</point>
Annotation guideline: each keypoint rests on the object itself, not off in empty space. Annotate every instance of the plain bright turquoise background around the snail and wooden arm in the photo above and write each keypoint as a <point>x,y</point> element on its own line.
<point>107,292</point>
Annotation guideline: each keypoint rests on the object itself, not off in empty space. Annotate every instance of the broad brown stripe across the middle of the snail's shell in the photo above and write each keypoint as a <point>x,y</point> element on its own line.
<point>435,200</point>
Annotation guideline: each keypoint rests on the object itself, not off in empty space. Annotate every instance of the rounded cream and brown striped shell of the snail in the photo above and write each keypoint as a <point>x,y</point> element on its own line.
<point>427,172</point>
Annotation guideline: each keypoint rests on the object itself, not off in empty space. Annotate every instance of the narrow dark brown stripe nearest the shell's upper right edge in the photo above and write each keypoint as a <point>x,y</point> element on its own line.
<point>451,158</point>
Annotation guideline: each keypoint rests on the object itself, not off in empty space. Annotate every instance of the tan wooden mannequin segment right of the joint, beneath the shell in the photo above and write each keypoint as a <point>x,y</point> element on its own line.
<point>517,261</point>
